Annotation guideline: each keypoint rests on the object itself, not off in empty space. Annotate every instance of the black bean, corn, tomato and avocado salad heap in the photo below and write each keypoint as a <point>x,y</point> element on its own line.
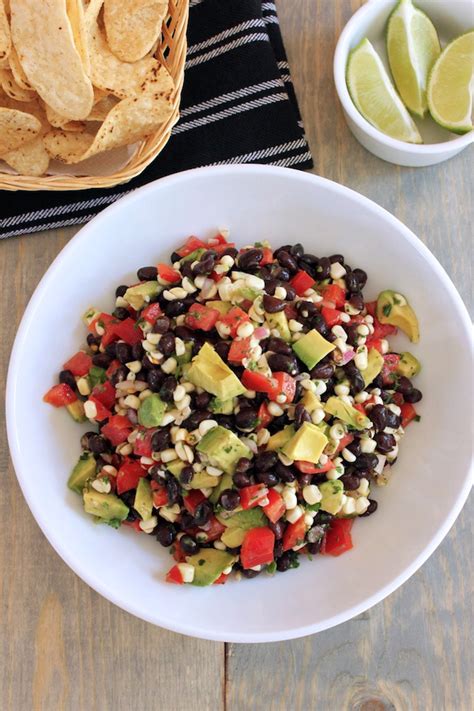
<point>244,401</point>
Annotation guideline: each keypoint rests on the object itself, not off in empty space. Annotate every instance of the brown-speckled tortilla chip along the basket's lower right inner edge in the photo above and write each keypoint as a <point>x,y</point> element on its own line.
<point>131,120</point>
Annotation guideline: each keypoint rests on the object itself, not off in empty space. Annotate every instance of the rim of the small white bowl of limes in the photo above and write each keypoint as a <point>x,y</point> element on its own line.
<point>341,55</point>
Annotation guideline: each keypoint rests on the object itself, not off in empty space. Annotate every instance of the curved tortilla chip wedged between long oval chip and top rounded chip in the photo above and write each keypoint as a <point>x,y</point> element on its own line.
<point>122,79</point>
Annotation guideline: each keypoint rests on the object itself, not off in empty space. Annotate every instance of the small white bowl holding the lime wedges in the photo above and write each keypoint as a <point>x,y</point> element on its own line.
<point>451,19</point>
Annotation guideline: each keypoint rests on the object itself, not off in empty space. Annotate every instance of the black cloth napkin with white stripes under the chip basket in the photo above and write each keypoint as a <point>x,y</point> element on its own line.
<point>238,106</point>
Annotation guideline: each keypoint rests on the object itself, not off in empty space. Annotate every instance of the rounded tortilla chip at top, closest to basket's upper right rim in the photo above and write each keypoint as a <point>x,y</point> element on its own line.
<point>132,26</point>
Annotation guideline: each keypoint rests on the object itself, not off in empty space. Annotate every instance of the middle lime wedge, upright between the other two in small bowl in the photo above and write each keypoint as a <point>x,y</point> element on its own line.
<point>412,48</point>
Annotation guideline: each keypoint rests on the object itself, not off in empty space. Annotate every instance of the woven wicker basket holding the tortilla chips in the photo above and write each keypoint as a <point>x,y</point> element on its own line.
<point>172,53</point>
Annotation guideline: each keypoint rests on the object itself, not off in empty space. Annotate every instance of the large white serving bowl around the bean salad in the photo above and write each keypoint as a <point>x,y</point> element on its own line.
<point>431,479</point>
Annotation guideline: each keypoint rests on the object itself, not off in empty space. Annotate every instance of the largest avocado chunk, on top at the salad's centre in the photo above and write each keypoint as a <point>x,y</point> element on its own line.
<point>209,371</point>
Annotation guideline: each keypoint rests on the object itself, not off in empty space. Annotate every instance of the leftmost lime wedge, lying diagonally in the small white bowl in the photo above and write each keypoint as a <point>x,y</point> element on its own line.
<point>375,97</point>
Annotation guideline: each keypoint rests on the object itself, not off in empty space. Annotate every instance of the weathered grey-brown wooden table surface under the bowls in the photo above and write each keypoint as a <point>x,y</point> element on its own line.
<point>65,647</point>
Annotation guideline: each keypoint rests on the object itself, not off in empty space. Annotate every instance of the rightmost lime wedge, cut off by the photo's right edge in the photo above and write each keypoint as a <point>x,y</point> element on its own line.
<point>450,85</point>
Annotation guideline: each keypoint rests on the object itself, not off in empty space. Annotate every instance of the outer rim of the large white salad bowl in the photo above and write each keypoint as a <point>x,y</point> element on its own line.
<point>43,521</point>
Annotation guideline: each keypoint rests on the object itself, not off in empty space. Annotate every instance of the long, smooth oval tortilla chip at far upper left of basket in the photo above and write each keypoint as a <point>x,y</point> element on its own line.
<point>44,40</point>
